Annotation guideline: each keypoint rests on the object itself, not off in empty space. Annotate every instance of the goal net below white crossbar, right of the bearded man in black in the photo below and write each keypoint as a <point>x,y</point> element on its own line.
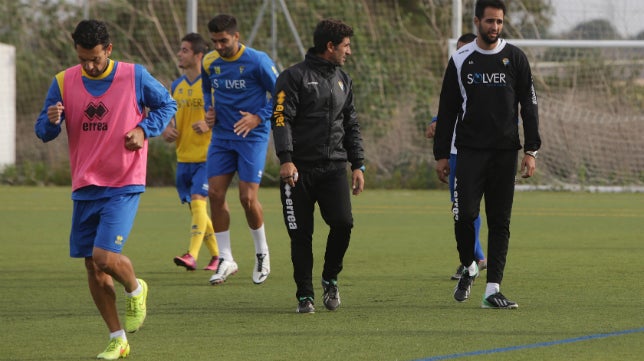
<point>591,111</point>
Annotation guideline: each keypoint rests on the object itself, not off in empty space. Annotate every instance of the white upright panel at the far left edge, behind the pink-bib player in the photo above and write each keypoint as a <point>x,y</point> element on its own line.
<point>7,105</point>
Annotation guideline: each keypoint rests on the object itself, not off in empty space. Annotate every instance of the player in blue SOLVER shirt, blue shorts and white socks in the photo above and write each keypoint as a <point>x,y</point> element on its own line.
<point>237,84</point>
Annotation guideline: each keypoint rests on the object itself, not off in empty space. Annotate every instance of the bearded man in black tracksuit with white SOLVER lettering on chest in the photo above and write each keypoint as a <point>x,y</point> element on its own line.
<point>484,83</point>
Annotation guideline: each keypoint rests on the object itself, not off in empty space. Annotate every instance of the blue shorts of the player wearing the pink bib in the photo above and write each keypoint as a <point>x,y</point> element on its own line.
<point>104,223</point>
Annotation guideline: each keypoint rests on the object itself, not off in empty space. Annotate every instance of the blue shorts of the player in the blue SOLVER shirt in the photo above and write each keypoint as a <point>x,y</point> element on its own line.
<point>246,157</point>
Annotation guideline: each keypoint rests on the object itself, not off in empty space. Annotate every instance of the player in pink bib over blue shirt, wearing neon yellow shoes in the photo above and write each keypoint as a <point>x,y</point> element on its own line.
<point>103,105</point>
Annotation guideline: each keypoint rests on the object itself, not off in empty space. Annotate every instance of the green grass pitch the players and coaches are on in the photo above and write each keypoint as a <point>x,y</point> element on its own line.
<point>574,267</point>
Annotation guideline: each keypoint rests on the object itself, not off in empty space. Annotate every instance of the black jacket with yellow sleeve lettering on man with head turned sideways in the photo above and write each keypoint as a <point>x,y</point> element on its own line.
<point>314,120</point>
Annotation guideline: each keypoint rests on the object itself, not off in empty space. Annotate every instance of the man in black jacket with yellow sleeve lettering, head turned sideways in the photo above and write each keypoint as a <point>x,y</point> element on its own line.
<point>316,132</point>
